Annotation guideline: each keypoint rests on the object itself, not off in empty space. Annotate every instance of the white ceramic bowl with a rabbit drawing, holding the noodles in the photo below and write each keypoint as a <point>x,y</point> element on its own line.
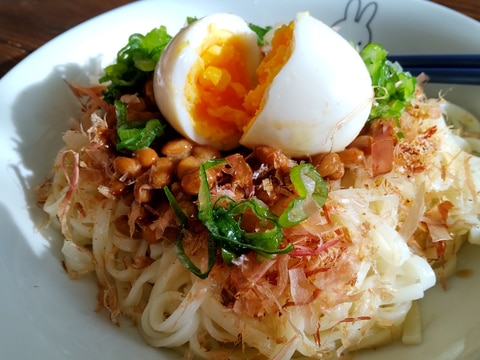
<point>45,315</point>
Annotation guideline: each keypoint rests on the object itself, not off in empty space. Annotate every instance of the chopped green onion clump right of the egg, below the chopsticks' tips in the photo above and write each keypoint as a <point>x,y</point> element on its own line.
<point>394,88</point>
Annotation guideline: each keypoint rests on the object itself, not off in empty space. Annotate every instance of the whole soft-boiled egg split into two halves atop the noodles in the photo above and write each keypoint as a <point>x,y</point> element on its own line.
<point>311,93</point>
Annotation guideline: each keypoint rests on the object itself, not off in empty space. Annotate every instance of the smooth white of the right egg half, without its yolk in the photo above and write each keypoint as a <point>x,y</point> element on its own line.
<point>320,99</point>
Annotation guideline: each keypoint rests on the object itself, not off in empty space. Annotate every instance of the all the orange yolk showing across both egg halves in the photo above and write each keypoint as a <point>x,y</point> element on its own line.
<point>223,97</point>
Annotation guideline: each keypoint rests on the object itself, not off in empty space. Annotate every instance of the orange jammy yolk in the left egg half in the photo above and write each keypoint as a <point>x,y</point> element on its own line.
<point>217,84</point>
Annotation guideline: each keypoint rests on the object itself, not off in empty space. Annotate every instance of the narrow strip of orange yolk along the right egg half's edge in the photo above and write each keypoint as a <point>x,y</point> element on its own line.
<point>270,67</point>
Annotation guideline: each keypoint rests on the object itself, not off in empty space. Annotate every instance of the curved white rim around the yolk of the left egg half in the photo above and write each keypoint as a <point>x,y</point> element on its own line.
<point>181,54</point>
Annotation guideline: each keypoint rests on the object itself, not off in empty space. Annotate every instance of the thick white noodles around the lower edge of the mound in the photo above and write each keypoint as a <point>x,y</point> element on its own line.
<point>173,308</point>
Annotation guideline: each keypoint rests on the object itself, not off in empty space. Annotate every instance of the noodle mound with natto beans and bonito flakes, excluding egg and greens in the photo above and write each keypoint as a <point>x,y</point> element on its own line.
<point>396,214</point>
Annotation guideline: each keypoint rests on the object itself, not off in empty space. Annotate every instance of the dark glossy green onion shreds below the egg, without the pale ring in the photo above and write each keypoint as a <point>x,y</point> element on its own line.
<point>223,220</point>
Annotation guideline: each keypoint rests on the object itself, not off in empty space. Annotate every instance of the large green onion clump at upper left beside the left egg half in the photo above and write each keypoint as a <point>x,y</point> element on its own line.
<point>134,64</point>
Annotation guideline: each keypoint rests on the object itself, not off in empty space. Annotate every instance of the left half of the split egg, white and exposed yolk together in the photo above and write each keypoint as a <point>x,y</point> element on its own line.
<point>202,77</point>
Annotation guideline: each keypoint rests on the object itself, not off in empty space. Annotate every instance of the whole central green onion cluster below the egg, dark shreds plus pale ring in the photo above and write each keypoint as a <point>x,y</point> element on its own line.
<point>223,219</point>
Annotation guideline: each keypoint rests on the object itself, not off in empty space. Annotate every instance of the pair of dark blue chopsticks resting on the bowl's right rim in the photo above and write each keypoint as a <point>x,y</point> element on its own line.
<point>443,68</point>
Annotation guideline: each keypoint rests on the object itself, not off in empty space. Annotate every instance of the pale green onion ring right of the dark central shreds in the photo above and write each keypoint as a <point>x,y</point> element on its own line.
<point>308,183</point>
